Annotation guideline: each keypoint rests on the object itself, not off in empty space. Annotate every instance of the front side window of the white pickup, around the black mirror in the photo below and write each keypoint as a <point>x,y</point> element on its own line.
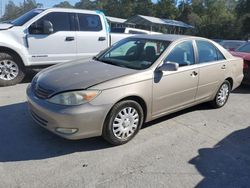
<point>59,20</point>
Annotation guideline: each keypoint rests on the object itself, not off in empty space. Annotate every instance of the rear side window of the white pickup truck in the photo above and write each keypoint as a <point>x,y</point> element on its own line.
<point>89,22</point>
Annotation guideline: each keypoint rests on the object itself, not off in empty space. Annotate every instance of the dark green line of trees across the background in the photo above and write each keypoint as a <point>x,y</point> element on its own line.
<point>217,19</point>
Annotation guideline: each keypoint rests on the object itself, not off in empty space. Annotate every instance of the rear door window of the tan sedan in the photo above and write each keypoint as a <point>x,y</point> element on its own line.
<point>207,52</point>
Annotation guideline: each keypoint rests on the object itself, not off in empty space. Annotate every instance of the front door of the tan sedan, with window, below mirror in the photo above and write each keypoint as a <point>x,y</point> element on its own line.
<point>175,89</point>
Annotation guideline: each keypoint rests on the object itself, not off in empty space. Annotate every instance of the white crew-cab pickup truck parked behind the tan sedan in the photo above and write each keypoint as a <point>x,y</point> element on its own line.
<point>44,37</point>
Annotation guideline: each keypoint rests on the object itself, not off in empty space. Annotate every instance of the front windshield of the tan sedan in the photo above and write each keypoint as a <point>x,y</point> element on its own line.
<point>134,53</point>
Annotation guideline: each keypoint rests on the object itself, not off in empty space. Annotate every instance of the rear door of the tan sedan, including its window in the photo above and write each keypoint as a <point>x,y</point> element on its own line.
<point>213,66</point>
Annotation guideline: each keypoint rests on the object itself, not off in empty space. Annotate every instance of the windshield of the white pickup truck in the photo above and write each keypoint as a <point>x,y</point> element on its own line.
<point>26,17</point>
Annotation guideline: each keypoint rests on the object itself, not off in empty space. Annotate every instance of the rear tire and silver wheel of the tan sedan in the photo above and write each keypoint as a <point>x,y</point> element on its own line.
<point>222,95</point>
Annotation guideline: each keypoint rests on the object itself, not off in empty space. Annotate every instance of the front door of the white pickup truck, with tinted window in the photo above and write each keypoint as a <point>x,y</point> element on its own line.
<point>57,46</point>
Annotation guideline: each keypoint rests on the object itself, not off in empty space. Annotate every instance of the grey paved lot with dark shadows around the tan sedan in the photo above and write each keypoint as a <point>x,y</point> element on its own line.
<point>198,147</point>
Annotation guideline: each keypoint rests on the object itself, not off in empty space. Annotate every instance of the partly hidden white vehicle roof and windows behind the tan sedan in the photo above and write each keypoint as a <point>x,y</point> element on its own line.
<point>129,30</point>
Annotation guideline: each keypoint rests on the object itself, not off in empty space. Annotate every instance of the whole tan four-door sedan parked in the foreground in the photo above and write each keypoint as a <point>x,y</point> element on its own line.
<point>137,80</point>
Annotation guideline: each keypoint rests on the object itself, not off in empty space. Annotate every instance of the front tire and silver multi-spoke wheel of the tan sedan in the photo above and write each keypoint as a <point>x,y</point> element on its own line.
<point>127,125</point>
